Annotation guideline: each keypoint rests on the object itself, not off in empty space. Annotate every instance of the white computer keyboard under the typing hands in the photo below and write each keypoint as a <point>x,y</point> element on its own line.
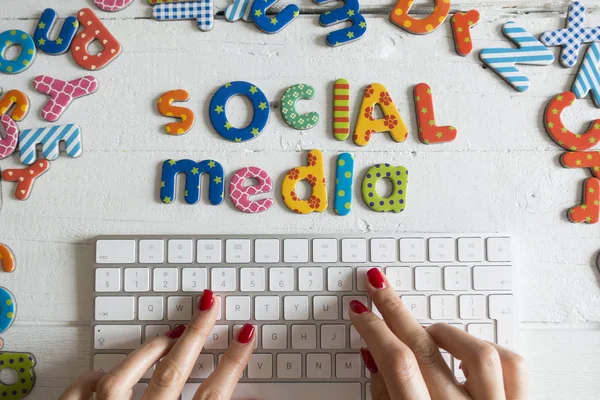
<point>297,291</point>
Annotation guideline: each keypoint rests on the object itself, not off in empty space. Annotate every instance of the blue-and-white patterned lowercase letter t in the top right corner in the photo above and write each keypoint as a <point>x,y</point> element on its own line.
<point>572,36</point>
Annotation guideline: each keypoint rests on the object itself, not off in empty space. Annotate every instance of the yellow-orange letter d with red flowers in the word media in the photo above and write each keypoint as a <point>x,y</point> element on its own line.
<point>313,173</point>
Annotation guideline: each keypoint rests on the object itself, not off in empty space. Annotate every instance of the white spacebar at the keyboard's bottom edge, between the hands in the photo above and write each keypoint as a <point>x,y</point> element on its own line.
<point>287,391</point>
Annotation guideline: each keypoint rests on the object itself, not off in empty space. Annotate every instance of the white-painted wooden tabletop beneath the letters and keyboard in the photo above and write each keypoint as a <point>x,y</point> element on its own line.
<point>501,174</point>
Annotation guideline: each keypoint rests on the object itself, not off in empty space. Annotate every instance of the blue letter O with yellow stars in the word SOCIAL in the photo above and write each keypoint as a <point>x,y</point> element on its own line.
<point>218,115</point>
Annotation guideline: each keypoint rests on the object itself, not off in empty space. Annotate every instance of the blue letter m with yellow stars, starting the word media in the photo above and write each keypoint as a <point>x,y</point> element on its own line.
<point>193,172</point>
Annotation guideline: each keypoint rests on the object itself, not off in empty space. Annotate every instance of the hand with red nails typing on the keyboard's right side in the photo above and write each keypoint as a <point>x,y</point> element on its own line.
<point>405,359</point>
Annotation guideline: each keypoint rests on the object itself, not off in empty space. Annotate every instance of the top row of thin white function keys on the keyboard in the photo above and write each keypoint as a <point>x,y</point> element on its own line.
<point>302,250</point>
